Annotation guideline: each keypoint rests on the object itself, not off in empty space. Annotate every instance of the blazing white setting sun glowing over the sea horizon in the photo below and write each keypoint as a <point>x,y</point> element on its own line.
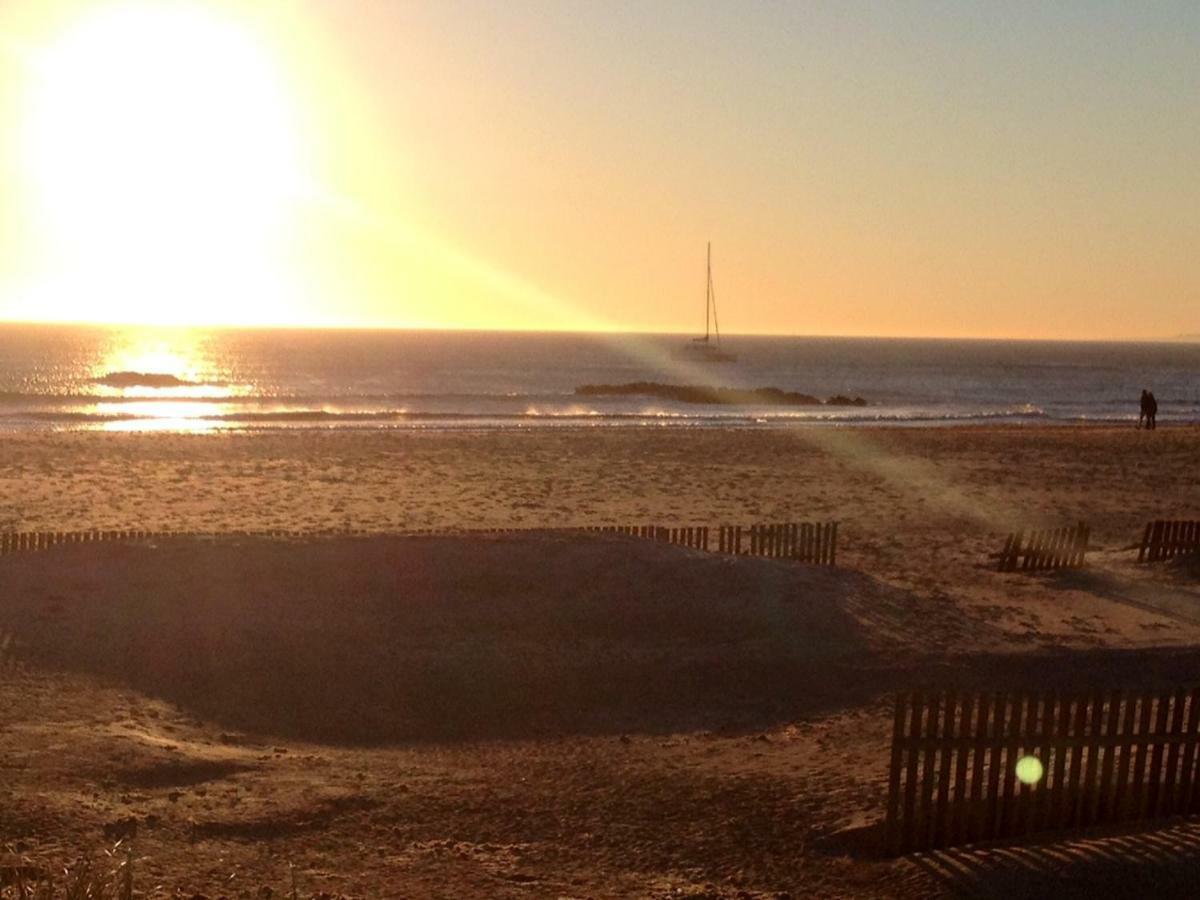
<point>163,155</point>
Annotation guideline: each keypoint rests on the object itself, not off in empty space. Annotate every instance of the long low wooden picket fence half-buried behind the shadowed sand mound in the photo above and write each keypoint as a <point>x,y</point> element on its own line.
<point>814,543</point>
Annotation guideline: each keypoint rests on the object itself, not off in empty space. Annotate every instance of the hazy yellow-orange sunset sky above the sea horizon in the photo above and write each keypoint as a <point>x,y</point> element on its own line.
<point>1010,170</point>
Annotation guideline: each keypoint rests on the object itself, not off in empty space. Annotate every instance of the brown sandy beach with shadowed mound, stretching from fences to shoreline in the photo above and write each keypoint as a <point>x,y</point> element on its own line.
<point>550,715</point>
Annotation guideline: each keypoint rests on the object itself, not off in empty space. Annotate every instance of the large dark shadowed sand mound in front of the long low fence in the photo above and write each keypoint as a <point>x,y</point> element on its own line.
<point>379,639</point>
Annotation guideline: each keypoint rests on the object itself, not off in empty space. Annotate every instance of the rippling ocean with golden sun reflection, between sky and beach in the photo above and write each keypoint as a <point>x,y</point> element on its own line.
<point>179,380</point>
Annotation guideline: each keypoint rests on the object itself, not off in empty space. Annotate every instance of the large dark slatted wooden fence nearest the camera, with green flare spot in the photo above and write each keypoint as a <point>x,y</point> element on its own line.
<point>1102,759</point>
